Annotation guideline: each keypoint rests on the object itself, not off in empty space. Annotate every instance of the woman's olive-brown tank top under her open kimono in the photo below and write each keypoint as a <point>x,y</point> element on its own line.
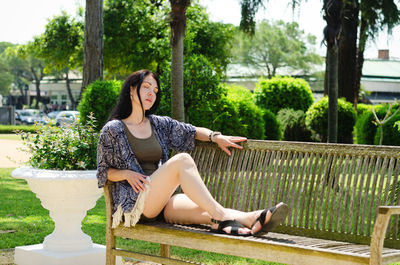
<point>147,151</point>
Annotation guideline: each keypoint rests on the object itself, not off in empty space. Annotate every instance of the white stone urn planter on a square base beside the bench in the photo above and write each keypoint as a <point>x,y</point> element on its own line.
<point>67,195</point>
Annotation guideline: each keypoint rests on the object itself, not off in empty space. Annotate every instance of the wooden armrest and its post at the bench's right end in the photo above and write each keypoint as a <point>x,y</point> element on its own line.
<point>378,235</point>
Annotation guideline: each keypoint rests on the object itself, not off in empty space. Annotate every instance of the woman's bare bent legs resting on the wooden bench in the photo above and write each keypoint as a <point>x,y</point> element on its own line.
<point>199,204</point>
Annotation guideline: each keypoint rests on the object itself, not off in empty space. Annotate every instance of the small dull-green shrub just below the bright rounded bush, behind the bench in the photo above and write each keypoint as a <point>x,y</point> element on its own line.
<point>293,125</point>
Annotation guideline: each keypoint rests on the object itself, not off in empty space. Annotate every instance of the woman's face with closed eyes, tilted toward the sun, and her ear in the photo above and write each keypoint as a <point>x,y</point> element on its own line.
<point>148,92</point>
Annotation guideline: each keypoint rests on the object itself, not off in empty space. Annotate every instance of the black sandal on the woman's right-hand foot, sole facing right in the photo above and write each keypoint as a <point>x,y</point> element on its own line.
<point>279,214</point>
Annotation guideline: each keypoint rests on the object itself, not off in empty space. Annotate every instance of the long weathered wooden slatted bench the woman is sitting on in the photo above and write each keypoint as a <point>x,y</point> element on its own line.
<point>339,197</point>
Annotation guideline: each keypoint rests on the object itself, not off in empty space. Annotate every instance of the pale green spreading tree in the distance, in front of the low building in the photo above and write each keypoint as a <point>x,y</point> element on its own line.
<point>276,45</point>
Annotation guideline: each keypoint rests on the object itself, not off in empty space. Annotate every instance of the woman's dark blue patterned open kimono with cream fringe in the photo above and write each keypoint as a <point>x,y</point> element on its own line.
<point>114,151</point>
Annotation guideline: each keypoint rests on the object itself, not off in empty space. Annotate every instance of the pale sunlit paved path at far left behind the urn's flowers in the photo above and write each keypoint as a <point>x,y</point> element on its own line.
<point>9,149</point>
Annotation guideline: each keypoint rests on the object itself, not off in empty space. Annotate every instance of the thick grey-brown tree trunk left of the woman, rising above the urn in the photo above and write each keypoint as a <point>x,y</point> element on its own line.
<point>93,43</point>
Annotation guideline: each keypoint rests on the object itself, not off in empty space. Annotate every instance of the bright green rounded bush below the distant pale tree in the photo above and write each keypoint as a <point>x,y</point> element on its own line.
<point>283,92</point>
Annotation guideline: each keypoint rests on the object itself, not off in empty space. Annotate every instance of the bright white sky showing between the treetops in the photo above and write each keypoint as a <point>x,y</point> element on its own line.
<point>21,20</point>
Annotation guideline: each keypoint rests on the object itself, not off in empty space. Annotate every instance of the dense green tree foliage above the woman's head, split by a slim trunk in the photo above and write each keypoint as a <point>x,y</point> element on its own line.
<point>137,35</point>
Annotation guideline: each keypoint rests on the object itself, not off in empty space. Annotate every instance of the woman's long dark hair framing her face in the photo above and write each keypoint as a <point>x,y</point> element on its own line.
<point>124,105</point>
